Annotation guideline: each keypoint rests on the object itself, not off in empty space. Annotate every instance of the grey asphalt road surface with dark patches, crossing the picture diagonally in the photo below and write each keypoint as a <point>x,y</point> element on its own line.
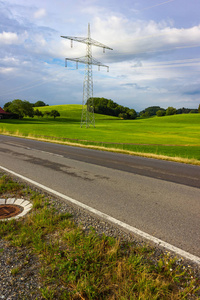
<point>158,197</point>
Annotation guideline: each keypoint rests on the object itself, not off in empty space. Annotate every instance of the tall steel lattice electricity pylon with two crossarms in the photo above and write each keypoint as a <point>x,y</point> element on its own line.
<point>87,117</point>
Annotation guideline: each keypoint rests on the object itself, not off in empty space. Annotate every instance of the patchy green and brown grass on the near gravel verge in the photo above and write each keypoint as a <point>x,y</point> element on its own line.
<point>79,265</point>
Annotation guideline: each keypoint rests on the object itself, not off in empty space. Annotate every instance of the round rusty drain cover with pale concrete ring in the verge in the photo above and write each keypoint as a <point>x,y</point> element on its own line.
<point>12,208</point>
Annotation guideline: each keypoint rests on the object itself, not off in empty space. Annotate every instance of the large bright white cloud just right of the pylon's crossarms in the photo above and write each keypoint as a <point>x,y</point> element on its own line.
<point>140,37</point>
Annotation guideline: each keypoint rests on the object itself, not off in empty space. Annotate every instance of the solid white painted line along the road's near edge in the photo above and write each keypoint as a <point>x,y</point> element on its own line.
<point>132,229</point>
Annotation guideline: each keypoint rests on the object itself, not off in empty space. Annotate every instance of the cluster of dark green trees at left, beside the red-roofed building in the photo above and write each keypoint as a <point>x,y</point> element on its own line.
<point>19,109</point>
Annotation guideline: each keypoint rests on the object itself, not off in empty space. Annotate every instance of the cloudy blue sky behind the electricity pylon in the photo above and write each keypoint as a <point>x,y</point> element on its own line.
<point>155,58</point>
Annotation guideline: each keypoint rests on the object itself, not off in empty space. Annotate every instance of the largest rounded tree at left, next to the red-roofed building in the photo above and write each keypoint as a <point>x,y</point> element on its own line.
<point>21,108</point>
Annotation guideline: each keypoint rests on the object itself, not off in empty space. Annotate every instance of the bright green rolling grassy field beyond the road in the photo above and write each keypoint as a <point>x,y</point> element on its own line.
<point>176,136</point>
